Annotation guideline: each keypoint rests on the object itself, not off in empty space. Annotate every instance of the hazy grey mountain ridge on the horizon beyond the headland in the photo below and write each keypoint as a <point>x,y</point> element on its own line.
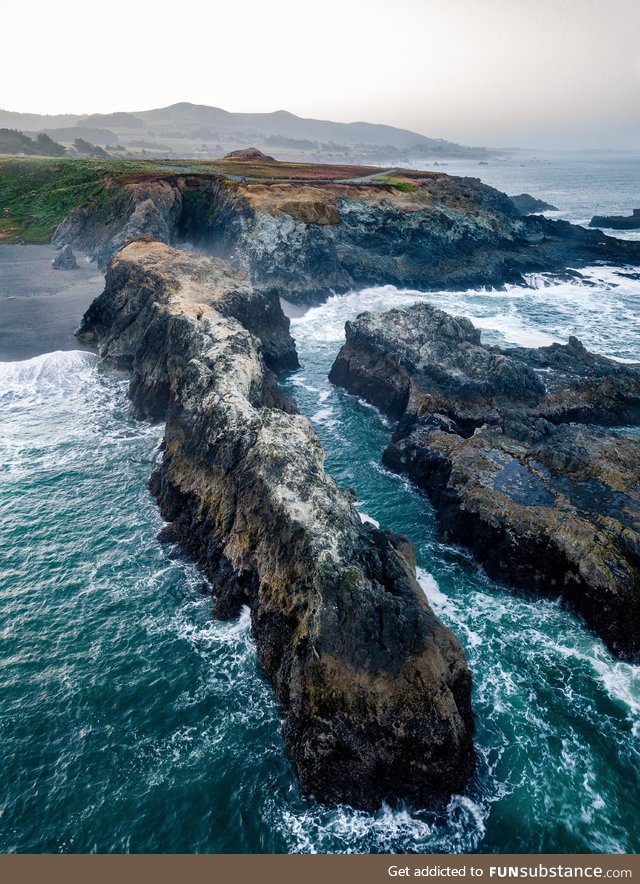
<point>200,126</point>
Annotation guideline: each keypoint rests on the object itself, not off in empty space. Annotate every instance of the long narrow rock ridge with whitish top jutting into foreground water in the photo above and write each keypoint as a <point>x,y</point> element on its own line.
<point>376,690</point>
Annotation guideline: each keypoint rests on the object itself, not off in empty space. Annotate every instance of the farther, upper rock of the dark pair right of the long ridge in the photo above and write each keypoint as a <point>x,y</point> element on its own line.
<point>419,360</point>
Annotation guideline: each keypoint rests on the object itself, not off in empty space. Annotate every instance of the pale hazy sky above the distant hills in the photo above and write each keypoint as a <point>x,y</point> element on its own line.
<point>496,72</point>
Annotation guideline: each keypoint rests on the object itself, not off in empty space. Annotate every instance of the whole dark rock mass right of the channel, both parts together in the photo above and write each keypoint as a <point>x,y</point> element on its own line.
<point>503,442</point>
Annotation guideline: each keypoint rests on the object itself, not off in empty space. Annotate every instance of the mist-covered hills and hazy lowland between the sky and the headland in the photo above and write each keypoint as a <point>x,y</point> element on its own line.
<point>190,130</point>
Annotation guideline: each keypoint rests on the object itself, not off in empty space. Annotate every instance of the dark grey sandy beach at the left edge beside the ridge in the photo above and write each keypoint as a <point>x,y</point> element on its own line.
<point>40,308</point>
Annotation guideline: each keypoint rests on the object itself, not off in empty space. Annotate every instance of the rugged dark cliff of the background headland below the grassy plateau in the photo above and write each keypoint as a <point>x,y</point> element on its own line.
<point>303,239</point>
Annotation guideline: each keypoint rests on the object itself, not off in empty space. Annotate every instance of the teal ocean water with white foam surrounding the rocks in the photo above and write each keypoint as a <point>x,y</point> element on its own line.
<point>132,721</point>
